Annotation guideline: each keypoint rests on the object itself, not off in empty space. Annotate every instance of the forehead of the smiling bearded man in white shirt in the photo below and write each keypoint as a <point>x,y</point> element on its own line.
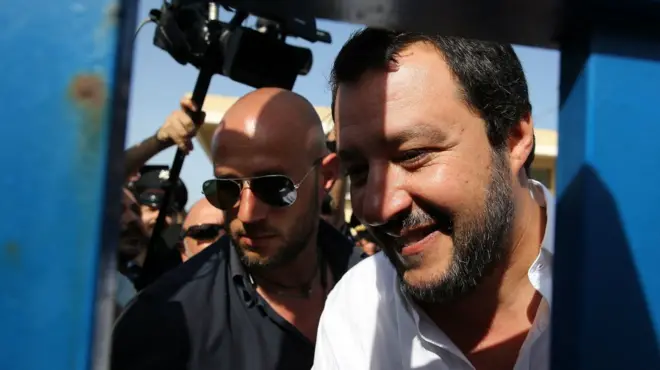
<point>413,102</point>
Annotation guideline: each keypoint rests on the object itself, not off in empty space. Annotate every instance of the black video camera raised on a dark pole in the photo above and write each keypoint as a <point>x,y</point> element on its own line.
<point>192,33</point>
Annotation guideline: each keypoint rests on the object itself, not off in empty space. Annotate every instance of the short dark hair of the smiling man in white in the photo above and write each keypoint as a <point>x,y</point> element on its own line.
<point>490,74</point>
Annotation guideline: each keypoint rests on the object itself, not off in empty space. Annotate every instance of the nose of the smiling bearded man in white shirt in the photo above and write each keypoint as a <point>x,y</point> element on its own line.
<point>383,196</point>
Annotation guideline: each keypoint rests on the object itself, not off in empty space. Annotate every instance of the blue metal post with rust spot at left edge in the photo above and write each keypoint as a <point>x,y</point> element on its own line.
<point>66,72</point>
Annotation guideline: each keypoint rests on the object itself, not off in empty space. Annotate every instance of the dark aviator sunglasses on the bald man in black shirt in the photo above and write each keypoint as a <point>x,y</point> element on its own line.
<point>274,190</point>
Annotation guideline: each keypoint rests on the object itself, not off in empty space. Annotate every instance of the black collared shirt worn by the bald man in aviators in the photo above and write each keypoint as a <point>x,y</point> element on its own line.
<point>205,315</point>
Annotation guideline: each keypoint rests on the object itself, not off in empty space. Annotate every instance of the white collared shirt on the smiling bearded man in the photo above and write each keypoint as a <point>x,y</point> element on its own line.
<point>368,323</point>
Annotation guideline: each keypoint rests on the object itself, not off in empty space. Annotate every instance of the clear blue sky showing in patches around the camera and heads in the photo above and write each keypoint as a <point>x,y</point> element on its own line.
<point>159,83</point>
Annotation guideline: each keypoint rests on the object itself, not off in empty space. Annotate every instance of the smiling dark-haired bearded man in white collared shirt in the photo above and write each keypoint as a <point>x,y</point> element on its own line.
<point>436,135</point>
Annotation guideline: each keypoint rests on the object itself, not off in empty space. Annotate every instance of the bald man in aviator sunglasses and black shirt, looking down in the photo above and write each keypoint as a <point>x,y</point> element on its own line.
<point>253,299</point>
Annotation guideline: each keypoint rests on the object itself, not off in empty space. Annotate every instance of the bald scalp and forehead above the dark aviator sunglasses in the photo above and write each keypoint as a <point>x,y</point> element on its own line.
<point>269,120</point>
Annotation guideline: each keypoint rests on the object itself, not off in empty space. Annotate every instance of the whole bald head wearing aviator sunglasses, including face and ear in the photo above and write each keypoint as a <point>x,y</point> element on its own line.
<point>273,137</point>
